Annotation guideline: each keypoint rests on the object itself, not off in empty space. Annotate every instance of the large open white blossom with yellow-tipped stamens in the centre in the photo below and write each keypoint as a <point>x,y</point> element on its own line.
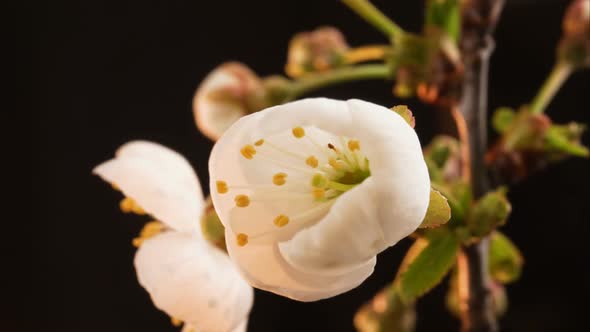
<point>311,191</point>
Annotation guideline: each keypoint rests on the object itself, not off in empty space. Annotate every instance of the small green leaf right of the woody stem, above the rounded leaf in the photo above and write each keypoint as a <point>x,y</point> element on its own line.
<point>489,212</point>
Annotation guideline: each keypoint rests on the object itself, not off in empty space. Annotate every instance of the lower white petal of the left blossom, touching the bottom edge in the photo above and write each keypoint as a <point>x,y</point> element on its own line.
<point>193,281</point>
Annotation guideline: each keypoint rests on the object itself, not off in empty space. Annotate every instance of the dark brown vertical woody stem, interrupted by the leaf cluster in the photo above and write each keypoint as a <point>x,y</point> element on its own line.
<point>479,19</point>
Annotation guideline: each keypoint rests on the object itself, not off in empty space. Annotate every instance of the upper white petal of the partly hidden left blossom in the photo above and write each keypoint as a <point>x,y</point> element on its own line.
<point>160,180</point>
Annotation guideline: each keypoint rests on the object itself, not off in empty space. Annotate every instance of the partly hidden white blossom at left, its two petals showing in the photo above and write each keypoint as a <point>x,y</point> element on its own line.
<point>186,277</point>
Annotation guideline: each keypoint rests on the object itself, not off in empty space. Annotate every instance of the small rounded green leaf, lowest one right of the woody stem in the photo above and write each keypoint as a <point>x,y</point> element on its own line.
<point>505,261</point>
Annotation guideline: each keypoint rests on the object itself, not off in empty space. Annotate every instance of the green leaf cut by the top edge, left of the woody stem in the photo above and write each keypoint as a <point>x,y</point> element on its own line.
<point>445,15</point>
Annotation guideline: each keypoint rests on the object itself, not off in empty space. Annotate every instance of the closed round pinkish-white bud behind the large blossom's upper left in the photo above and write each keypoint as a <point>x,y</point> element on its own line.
<point>229,92</point>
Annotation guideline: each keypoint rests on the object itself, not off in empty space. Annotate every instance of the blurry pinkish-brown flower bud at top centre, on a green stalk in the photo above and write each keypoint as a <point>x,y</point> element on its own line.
<point>317,50</point>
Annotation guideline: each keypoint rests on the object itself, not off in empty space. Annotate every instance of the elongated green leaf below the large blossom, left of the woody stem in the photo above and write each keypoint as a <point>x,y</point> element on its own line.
<point>429,267</point>
